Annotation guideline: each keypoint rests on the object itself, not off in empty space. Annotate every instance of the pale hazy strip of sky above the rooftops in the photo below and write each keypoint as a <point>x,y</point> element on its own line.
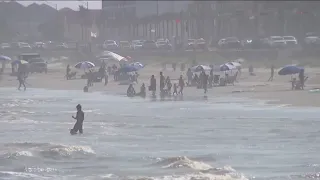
<point>70,4</point>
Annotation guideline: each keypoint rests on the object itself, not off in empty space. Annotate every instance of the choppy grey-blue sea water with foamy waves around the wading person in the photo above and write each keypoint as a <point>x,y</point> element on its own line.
<point>219,139</point>
